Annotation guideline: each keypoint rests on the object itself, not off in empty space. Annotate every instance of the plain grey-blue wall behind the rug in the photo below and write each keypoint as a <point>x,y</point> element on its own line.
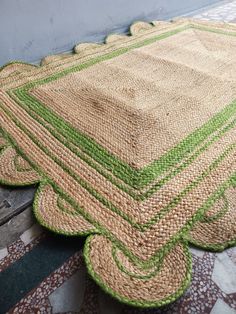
<point>32,29</point>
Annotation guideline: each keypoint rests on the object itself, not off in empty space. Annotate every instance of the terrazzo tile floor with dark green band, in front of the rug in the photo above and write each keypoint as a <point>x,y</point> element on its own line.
<point>68,288</point>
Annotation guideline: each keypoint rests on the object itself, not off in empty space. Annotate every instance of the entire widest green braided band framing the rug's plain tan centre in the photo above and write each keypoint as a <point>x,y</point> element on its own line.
<point>135,178</point>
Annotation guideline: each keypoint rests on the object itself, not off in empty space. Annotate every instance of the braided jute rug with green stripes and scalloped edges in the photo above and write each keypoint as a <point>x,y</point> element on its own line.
<point>133,144</point>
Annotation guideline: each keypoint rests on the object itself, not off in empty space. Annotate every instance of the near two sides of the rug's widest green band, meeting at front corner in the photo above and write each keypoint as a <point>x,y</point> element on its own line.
<point>135,178</point>
